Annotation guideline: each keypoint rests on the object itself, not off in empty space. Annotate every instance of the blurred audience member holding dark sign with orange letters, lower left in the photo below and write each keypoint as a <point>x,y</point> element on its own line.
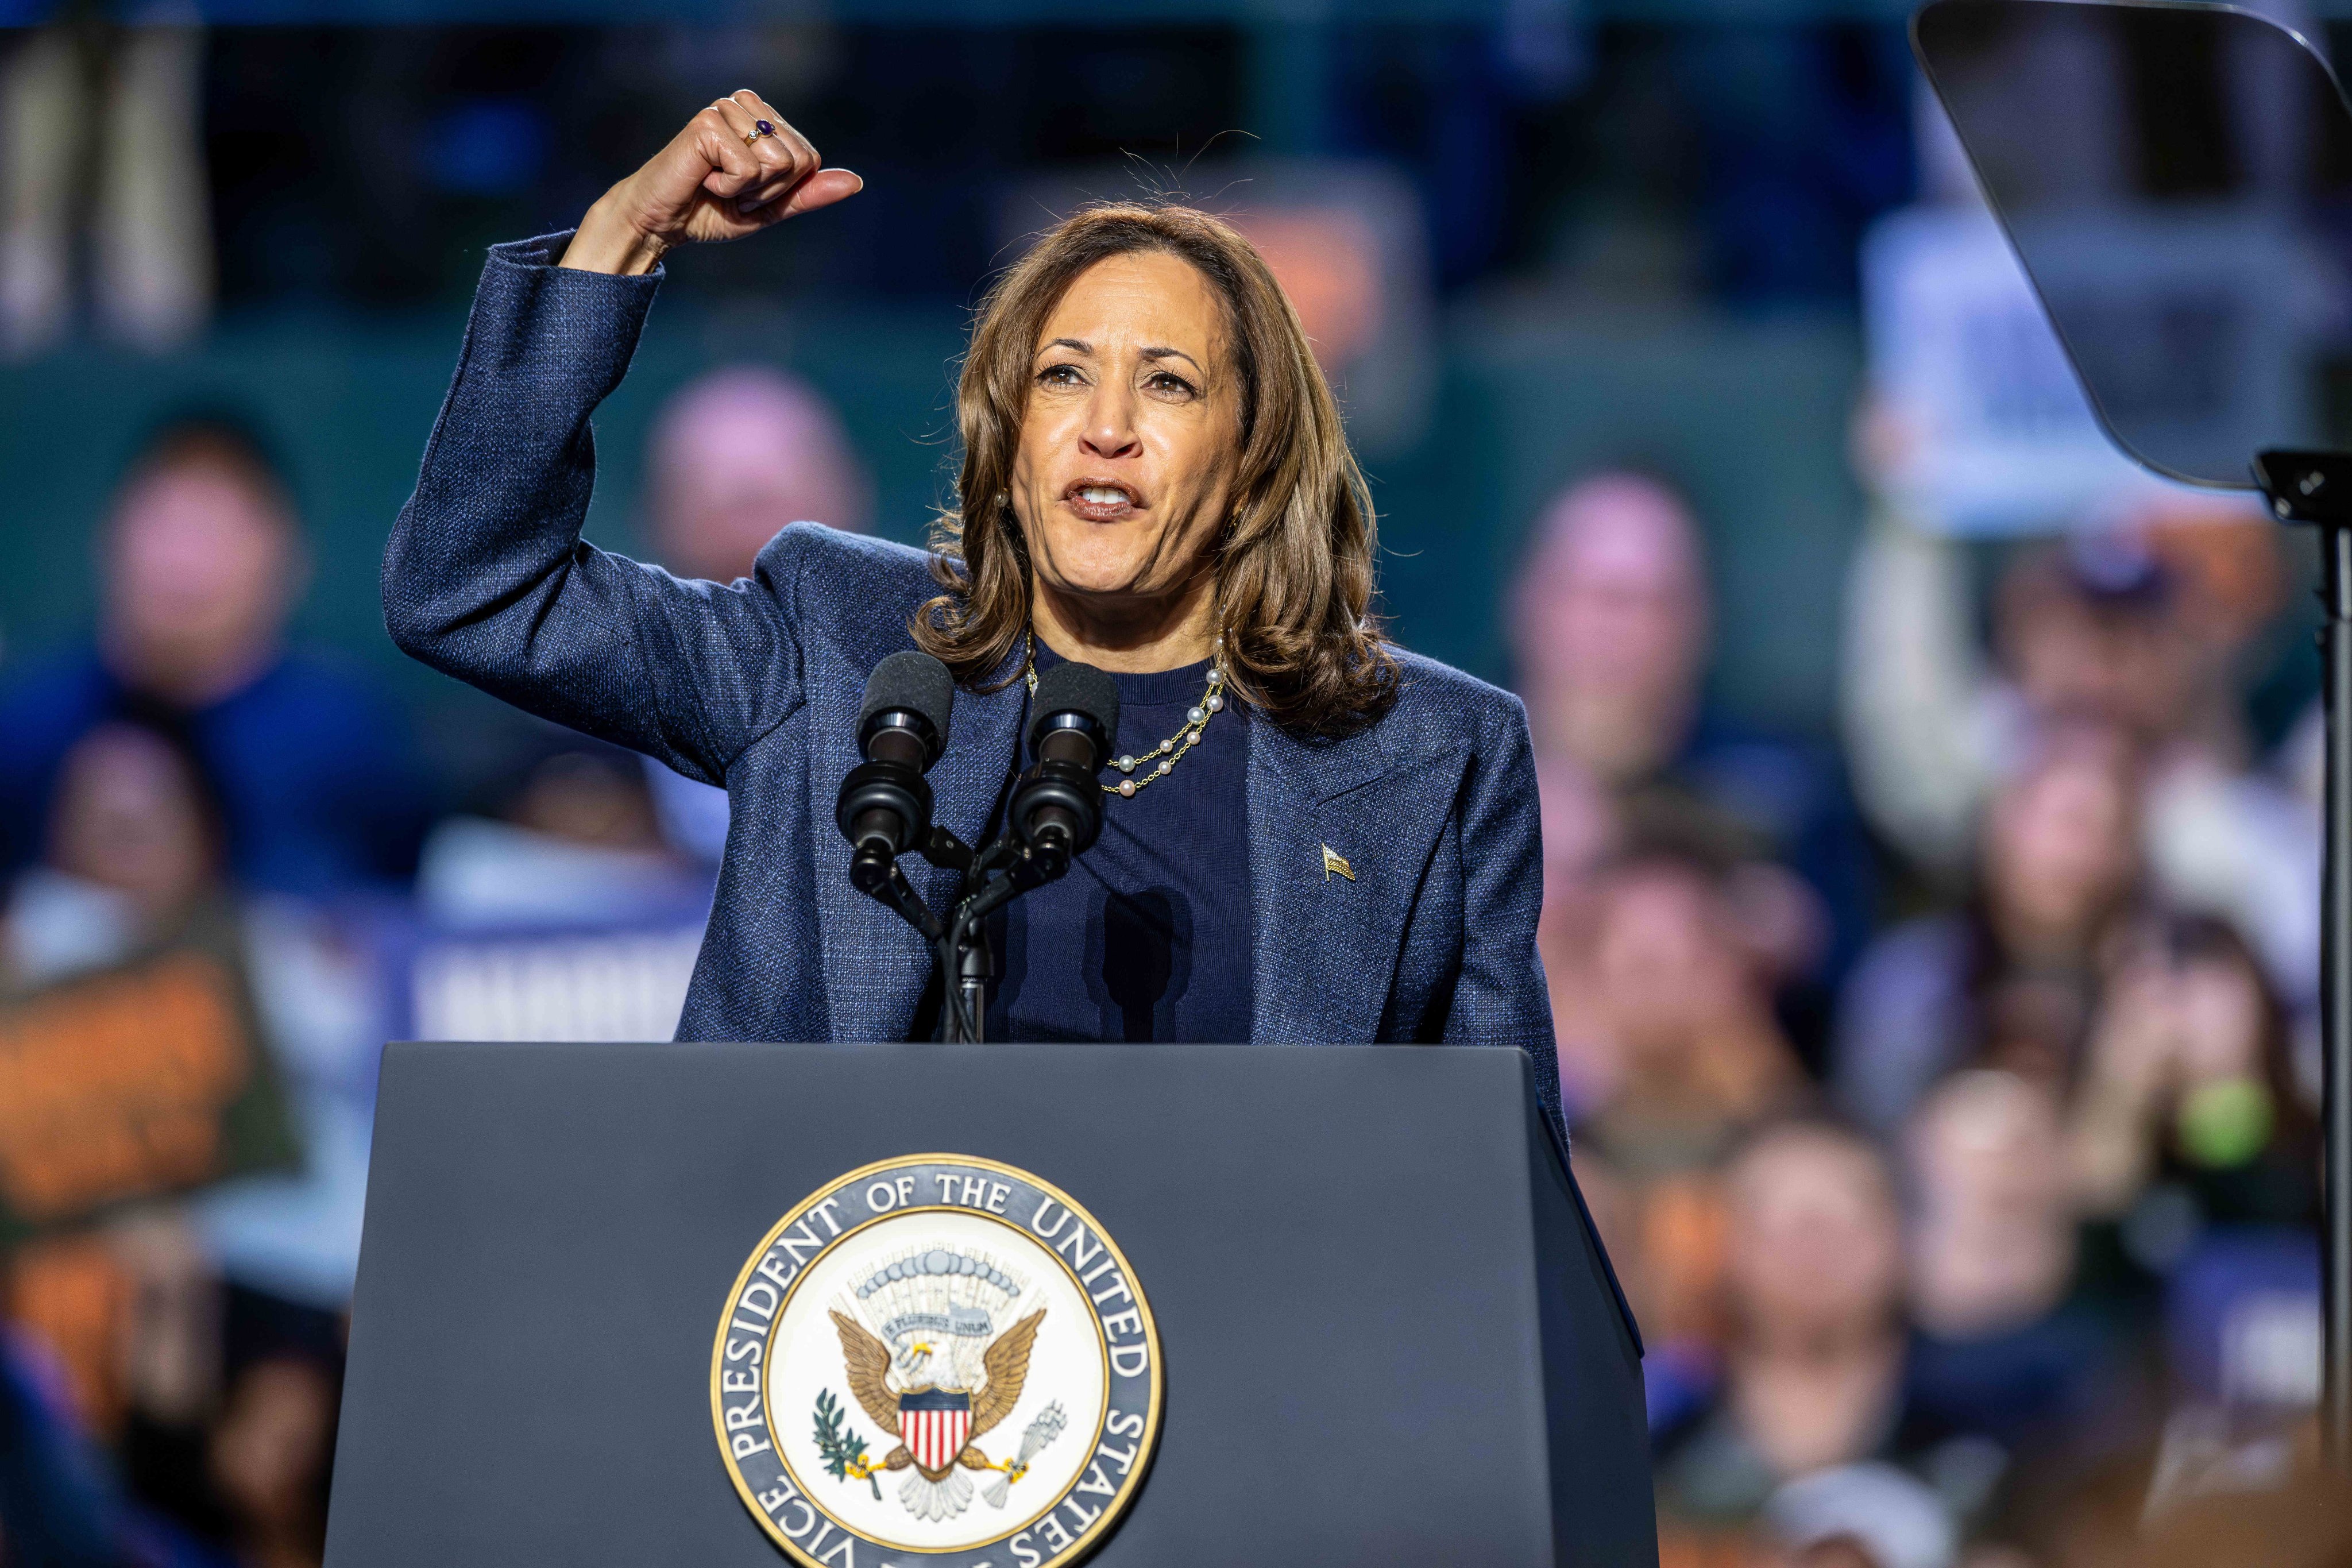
<point>138,1313</point>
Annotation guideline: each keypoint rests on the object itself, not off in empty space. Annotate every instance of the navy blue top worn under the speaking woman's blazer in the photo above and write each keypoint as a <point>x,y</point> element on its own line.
<point>1149,932</point>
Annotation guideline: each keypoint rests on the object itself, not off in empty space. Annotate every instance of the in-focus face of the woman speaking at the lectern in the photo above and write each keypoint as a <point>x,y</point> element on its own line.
<point>1130,434</point>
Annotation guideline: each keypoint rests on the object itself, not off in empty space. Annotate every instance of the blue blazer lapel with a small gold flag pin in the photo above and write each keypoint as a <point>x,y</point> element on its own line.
<point>1339,836</point>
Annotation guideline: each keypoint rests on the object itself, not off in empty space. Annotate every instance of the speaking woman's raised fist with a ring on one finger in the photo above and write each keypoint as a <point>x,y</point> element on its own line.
<point>730,173</point>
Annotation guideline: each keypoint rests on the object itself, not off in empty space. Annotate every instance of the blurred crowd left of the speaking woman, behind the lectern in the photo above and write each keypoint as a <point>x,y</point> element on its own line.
<point>171,1367</point>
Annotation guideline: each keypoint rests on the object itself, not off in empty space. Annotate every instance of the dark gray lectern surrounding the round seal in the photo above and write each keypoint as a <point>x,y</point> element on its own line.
<point>1389,1329</point>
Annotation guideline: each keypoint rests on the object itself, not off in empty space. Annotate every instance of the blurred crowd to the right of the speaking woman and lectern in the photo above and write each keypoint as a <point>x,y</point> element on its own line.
<point>1949,1106</point>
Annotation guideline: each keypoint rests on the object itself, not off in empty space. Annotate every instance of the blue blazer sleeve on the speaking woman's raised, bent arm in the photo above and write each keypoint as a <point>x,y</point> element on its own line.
<point>488,579</point>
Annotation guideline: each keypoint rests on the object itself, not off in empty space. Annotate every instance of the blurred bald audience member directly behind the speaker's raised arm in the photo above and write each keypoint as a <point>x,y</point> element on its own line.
<point>735,457</point>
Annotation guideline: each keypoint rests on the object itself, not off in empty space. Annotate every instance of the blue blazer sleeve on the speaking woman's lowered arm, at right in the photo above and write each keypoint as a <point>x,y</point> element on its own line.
<point>1499,996</point>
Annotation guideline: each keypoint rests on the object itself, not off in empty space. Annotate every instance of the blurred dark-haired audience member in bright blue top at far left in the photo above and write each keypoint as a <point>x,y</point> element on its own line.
<point>201,568</point>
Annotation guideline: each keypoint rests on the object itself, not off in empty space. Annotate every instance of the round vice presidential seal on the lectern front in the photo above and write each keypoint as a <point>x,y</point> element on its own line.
<point>937,1360</point>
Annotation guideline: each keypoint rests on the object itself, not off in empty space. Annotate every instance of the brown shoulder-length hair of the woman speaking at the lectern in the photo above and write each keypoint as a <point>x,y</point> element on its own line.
<point>1295,558</point>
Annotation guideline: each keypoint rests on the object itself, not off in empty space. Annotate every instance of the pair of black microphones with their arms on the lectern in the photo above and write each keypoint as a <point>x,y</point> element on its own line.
<point>1053,817</point>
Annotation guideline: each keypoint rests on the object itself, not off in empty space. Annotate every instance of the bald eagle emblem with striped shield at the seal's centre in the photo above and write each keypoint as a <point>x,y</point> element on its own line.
<point>930,1365</point>
